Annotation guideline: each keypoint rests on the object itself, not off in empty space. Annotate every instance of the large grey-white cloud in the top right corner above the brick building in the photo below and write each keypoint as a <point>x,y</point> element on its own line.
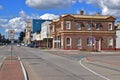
<point>108,7</point>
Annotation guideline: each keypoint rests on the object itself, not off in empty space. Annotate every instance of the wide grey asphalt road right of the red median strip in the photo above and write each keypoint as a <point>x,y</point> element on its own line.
<point>43,65</point>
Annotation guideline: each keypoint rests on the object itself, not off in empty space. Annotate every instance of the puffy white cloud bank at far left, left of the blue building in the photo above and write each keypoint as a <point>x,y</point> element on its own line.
<point>16,23</point>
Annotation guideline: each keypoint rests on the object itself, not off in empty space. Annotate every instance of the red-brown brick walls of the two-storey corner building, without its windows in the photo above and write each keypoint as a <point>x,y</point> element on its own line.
<point>74,36</point>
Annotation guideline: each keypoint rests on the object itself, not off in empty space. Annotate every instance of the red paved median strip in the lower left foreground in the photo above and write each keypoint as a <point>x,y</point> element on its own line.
<point>11,69</point>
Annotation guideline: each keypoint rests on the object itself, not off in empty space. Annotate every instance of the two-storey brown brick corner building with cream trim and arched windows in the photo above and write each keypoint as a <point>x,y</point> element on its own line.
<point>84,32</point>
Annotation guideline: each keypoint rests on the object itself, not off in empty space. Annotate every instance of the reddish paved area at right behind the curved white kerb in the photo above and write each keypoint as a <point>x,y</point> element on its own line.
<point>108,61</point>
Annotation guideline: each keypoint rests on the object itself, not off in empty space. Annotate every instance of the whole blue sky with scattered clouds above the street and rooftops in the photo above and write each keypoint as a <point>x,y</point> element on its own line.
<point>14,13</point>
